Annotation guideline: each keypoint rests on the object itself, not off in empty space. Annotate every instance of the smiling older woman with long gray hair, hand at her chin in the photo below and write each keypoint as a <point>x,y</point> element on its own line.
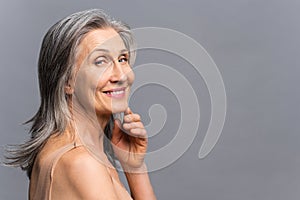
<point>85,76</point>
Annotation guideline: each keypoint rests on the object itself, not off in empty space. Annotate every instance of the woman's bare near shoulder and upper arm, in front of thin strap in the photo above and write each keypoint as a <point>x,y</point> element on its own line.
<point>78,175</point>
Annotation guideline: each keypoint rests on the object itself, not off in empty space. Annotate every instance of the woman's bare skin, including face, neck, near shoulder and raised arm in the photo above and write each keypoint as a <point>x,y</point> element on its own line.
<point>102,65</point>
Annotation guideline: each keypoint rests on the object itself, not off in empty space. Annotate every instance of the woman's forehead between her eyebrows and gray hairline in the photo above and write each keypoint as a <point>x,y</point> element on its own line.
<point>105,38</point>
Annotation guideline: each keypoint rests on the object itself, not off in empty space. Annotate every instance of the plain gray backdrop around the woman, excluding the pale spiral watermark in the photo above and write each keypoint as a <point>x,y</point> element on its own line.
<point>254,43</point>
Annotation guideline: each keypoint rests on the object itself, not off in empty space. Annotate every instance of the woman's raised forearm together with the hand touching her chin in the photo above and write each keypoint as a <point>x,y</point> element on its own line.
<point>130,147</point>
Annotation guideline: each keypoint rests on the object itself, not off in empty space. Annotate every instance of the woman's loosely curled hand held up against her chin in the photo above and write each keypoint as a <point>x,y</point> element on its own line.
<point>129,140</point>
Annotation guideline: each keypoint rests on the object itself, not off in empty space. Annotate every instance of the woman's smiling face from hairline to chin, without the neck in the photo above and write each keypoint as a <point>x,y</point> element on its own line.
<point>104,76</point>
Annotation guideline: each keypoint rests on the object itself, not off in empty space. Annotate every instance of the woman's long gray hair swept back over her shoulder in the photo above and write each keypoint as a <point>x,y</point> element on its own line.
<point>55,68</point>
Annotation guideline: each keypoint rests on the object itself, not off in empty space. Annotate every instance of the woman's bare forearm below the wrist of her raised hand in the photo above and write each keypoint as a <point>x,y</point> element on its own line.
<point>139,184</point>
